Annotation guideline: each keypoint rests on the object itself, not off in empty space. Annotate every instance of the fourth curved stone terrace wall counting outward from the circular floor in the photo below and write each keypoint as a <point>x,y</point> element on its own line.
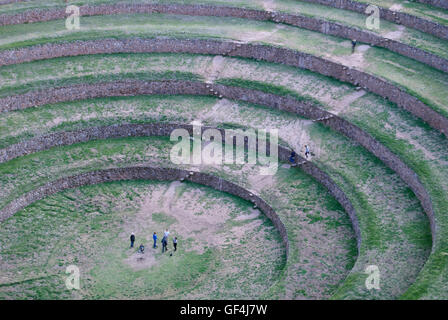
<point>229,48</point>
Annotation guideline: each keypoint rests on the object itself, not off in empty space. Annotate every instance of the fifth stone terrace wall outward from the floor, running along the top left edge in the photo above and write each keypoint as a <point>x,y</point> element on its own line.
<point>318,25</point>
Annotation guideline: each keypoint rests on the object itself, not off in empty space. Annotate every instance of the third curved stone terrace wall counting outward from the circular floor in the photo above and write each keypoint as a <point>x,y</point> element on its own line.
<point>289,104</point>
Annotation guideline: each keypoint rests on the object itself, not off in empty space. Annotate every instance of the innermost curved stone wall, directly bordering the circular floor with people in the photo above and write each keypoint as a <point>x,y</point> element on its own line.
<point>143,173</point>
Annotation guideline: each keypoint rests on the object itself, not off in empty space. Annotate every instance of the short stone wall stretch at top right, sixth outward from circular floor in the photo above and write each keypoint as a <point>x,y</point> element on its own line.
<point>405,19</point>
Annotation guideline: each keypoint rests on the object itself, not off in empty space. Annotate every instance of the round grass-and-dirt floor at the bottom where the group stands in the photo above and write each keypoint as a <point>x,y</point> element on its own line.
<point>226,249</point>
